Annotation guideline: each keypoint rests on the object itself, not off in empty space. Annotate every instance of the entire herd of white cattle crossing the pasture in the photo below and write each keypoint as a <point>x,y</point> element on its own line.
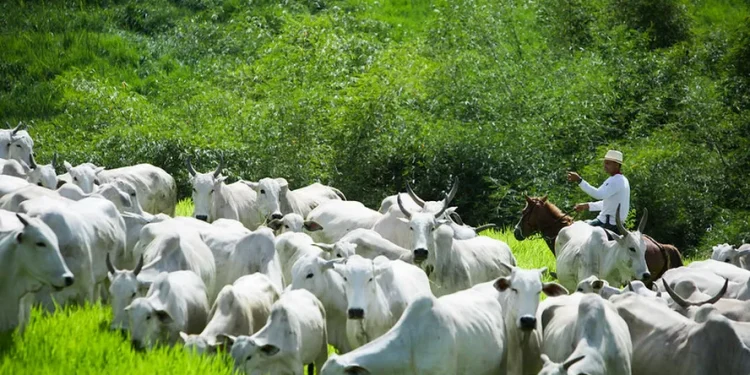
<point>274,275</point>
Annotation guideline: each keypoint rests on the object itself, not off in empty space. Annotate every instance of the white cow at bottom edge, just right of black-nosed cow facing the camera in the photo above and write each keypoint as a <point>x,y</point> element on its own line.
<point>583,334</point>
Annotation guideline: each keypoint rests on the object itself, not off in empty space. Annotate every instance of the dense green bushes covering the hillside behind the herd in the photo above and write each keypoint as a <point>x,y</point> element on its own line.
<point>507,95</point>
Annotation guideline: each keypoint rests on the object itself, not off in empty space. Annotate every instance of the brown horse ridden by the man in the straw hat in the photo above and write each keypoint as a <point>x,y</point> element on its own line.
<point>541,216</point>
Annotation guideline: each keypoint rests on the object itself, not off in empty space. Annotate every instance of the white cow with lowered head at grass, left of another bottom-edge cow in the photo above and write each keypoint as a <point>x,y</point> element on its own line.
<point>240,309</point>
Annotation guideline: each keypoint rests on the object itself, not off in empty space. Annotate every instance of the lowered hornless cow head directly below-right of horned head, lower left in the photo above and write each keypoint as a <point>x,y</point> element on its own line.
<point>147,320</point>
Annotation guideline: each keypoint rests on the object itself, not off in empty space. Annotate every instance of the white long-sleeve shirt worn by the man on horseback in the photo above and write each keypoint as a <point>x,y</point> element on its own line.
<point>615,190</point>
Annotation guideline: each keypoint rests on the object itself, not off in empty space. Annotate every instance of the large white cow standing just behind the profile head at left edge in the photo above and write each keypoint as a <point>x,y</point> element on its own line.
<point>86,230</point>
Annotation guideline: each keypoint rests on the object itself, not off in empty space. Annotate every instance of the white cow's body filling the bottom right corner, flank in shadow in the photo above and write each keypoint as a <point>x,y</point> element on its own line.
<point>665,342</point>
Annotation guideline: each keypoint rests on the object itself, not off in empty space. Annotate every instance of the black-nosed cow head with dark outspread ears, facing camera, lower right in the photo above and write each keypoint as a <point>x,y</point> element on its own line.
<point>523,288</point>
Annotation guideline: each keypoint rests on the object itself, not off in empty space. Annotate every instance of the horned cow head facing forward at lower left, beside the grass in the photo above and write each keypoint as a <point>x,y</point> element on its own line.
<point>123,289</point>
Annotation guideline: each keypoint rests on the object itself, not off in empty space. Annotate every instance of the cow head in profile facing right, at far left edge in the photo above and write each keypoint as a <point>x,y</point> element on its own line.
<point>38,255</point>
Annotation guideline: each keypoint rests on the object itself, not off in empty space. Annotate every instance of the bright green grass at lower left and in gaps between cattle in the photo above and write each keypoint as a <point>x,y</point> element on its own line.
<point>76,340</point>
